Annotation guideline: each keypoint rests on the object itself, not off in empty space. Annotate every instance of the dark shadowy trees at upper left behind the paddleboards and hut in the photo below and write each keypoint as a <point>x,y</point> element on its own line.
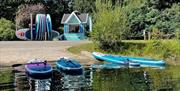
<point>56,8</point>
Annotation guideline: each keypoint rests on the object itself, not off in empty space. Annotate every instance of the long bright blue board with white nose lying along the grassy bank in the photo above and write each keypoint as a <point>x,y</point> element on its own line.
<point>123,59</point>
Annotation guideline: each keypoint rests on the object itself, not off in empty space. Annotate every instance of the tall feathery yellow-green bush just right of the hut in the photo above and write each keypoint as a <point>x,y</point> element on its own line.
<point>109,27</point>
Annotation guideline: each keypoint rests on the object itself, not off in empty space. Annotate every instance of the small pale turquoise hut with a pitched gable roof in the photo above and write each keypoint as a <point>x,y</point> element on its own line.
<point>76,25</point>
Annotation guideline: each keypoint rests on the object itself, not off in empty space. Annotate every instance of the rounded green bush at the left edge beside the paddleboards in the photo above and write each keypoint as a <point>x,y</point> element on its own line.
<point>7,30</point>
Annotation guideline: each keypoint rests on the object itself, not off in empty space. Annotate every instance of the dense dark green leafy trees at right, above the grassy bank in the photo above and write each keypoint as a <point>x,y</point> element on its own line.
<point>160,14</point>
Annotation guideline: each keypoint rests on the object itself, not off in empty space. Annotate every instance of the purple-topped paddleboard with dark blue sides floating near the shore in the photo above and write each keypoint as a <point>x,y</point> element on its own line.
<point>38,69</point>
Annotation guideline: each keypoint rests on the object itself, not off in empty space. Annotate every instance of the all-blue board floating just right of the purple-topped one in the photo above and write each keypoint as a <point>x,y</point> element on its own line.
<point>69,66</point>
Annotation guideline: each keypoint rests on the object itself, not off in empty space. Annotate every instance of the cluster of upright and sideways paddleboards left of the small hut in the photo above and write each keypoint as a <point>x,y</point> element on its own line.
<point>41,30</point>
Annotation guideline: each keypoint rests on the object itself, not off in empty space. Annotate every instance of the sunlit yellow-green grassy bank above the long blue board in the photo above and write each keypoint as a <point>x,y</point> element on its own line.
<point>168,50</point>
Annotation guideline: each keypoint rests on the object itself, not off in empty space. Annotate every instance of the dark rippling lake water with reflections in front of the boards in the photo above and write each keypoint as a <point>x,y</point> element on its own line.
<point>123,79</point>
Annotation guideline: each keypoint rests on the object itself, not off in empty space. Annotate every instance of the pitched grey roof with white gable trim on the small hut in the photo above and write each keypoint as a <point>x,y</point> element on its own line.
<point>82,17</point>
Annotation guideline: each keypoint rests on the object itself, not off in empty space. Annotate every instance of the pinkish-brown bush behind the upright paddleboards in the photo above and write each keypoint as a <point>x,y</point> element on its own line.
<point>24,11</point>
